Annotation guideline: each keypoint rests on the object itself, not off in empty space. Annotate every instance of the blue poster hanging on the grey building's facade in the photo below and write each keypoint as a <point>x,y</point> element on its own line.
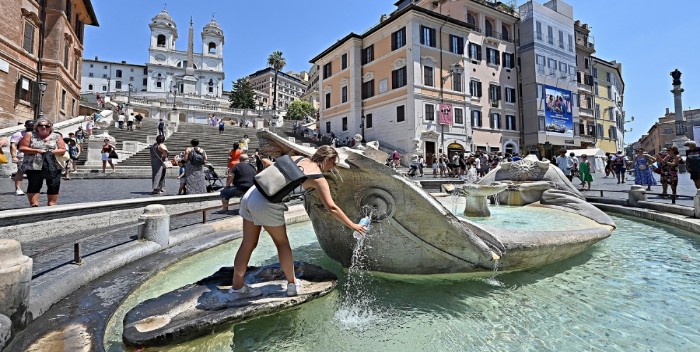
<point>559,120</point>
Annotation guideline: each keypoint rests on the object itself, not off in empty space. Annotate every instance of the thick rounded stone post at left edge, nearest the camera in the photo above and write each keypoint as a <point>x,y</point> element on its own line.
<point>15,279</point>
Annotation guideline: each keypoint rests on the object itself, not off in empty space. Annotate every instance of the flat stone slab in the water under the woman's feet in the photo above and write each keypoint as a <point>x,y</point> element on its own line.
<point>197,309</point>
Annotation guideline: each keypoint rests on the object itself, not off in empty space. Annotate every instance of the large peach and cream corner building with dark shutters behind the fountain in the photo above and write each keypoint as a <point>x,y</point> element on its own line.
<point>418,80</point>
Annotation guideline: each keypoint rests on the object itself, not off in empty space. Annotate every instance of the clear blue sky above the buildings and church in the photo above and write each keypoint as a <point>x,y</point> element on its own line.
<point>645,36</point>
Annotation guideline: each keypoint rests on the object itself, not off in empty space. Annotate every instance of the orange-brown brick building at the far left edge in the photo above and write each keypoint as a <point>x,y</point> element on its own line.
<point>41,42</point>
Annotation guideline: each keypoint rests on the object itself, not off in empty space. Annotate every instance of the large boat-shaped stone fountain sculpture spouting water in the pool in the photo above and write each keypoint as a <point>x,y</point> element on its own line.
<point>415,234</point>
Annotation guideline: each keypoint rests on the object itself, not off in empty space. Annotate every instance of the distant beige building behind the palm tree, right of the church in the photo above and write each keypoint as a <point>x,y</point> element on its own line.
<point>290,87</point>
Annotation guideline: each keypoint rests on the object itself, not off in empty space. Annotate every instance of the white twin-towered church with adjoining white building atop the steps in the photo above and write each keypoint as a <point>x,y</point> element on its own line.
<point>168,70</point>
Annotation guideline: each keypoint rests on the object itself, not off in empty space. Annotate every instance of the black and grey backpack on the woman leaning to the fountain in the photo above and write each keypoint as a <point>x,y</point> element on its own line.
<point>280,179</point>
